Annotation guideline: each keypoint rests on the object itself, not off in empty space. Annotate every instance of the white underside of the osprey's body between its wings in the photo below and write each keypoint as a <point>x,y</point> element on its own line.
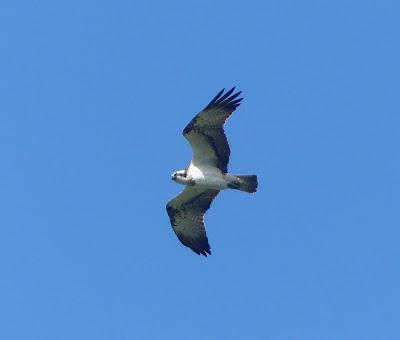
<point>208,177</point>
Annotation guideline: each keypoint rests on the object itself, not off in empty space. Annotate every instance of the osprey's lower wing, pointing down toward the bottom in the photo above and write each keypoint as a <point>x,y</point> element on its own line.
<point>186,213</point>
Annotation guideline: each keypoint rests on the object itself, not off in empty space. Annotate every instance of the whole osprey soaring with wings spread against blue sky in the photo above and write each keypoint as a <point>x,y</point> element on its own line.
<point>207,173</point>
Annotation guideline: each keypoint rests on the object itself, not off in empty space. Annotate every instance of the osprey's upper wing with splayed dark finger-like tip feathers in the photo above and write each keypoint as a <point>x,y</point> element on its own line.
<point>206,134</point>
